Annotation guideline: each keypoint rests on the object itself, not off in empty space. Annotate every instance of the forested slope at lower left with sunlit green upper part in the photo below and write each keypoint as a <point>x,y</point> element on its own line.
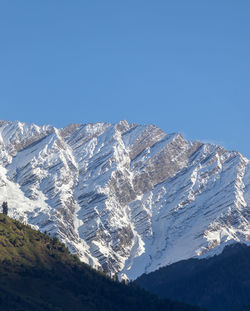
<point>37,272</point>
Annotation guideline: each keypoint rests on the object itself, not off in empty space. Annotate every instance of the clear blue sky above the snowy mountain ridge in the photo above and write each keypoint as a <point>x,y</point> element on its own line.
<point>182,65</point>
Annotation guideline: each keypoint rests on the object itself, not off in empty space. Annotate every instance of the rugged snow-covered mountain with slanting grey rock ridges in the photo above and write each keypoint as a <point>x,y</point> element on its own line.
<point>125,197</point>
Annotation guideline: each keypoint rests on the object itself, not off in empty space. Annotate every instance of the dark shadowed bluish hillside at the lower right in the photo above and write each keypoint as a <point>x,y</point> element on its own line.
<point>218,283</point>
